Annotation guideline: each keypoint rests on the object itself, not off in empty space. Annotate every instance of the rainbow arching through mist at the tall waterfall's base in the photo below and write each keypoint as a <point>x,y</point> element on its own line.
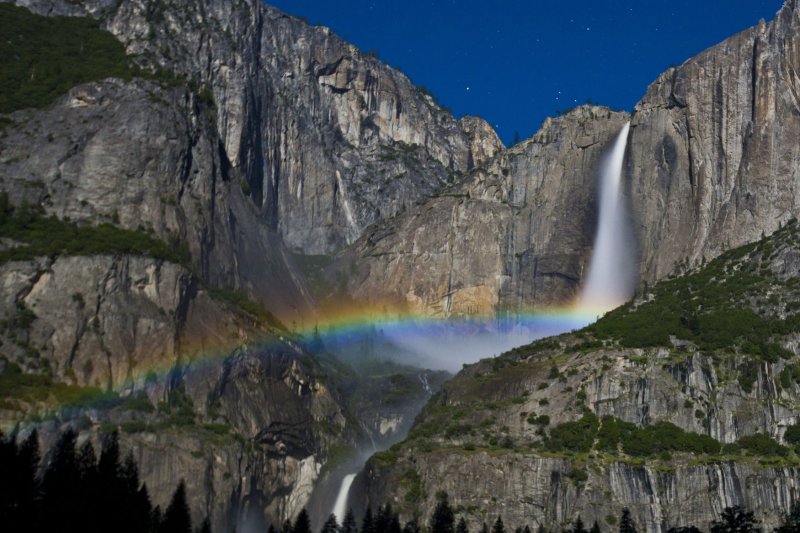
<point>417,339</point>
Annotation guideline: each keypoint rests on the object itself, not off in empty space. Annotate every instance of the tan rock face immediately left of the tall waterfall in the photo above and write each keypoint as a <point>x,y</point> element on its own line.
<point>513,234</point>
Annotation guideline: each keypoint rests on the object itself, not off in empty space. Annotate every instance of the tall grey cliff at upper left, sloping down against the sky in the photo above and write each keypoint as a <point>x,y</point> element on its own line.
<point>327,140</point>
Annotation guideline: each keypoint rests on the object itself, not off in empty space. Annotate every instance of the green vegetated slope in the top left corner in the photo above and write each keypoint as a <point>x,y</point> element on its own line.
<point>43,57</point>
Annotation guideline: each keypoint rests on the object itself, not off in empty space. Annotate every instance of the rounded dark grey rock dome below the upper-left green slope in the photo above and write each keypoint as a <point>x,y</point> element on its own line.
<point>145,157</point>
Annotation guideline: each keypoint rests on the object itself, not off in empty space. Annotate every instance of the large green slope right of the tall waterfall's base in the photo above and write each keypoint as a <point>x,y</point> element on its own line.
<point>713,307</point>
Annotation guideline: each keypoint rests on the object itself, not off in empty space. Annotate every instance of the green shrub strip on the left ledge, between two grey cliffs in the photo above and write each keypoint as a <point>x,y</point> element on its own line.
<point>50,236</point>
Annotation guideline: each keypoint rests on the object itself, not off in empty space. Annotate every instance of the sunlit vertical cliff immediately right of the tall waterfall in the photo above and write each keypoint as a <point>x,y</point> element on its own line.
<point>713,156</point>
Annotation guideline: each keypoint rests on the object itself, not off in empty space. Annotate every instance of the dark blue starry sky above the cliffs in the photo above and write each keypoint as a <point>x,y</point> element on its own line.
<point>516,62</point>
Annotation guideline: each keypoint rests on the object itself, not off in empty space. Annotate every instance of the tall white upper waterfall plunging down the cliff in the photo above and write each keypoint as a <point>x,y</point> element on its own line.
<point>610,279</point>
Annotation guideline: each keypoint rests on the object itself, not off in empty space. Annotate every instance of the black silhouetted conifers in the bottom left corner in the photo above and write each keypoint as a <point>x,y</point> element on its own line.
<point>72,490</point>
